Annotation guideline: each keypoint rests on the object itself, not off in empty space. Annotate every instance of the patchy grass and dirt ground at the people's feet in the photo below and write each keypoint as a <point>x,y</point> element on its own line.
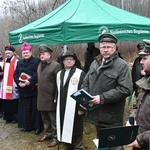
<point>12,138</point>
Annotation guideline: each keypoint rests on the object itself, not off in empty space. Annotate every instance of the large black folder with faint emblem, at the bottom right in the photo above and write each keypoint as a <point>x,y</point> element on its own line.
<point>117,136</point>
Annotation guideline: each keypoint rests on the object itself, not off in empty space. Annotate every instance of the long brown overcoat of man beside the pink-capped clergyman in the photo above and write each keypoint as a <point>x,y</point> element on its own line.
<point>47,86</point>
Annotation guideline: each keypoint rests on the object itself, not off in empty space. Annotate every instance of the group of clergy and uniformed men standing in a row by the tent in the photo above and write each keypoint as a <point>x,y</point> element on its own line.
<point>36,92</point>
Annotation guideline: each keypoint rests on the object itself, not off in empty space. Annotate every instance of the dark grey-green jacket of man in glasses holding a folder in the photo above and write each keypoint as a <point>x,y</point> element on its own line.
<point>113,83</point>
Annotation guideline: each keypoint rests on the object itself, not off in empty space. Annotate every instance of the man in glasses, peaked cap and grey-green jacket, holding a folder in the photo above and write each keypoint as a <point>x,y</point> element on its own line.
<point>109,82</point>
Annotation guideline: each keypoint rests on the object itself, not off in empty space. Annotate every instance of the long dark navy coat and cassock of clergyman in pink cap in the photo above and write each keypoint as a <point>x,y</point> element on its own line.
<point>29,117</point>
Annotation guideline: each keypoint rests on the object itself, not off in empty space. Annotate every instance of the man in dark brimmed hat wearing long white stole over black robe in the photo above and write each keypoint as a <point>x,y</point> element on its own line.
<point>69,114</point>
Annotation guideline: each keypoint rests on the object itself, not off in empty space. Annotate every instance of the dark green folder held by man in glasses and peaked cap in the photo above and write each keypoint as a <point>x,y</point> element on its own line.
<point>82,97</point>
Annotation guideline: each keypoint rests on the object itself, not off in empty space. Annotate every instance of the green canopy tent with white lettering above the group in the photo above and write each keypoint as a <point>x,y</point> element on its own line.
<point>81,21</point>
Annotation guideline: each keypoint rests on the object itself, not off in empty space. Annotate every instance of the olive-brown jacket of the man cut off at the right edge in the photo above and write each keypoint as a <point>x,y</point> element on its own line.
<point>143,112</point>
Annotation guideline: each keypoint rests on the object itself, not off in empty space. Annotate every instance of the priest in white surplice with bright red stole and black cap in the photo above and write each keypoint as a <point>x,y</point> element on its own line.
<point>8,89</point>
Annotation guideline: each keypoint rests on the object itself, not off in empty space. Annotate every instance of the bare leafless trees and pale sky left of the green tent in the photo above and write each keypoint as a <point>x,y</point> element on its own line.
<point>21,12</point>
